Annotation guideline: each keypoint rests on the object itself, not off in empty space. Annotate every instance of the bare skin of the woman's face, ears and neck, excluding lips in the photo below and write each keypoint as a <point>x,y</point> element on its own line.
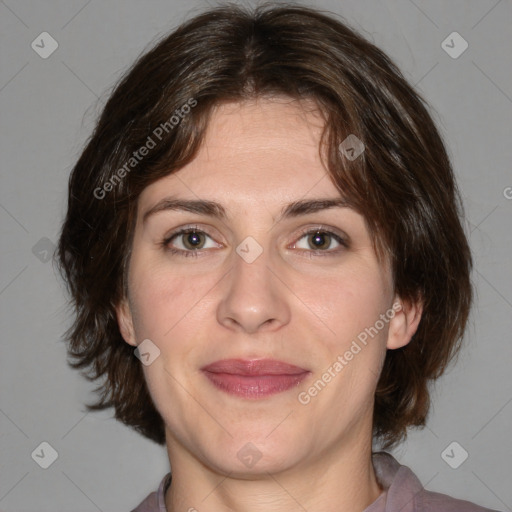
<point>291,304</point>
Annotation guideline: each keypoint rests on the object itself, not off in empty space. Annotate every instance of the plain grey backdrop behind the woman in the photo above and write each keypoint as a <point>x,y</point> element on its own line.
<point>48,107</point>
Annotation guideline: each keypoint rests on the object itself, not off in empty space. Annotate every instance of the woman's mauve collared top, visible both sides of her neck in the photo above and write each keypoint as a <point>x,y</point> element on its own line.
<point>402,491</point>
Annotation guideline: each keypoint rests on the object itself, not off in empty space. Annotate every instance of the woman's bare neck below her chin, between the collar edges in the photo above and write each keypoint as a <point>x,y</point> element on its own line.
<point>342,479</point>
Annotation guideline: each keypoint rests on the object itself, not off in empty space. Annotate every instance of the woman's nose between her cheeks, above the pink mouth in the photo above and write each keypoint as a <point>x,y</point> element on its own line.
<point>254,298</point>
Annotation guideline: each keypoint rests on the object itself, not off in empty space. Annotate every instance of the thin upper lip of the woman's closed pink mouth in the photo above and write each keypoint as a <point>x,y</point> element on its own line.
<point>253,367</point>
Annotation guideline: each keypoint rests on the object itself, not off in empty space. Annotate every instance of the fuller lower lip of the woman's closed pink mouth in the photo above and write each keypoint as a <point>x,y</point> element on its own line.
<point>254,386</point>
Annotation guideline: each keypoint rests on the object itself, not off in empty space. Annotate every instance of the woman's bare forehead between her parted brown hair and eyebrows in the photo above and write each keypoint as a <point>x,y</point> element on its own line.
<point>255,152</point>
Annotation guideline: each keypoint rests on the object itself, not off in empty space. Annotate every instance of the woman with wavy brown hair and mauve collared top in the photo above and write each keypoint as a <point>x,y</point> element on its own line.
<point>264,248</point>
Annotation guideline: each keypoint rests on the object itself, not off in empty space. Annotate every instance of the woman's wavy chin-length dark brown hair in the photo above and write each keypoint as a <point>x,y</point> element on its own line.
<point>402,183</point>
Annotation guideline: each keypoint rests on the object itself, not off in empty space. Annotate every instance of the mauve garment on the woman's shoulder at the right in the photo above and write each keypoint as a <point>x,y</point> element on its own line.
<point>406,493</point>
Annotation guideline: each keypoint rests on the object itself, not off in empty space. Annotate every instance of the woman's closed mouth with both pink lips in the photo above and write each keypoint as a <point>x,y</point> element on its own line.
<point>255,378</point>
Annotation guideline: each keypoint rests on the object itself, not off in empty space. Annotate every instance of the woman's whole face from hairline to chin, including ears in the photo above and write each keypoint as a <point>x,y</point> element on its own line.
<point>291,304</point>
